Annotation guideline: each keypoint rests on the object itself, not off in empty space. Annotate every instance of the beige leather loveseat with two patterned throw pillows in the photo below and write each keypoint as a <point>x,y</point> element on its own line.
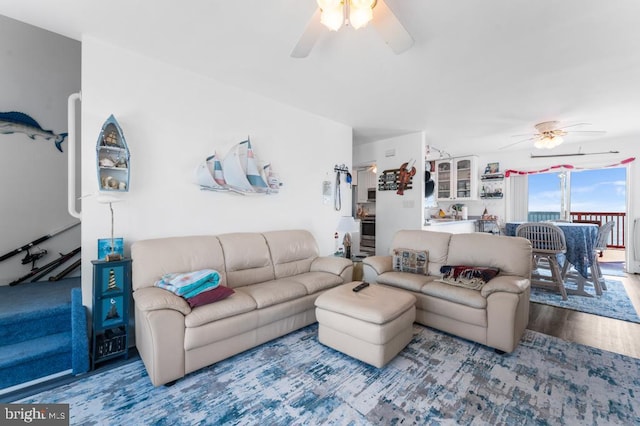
<point>496,315</point>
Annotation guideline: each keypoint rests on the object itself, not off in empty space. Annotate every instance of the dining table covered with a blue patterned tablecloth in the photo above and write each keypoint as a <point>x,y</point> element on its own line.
<point>581,239</point>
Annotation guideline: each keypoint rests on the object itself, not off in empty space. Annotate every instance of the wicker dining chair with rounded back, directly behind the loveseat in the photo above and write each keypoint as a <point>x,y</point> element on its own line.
<point>547,241</point>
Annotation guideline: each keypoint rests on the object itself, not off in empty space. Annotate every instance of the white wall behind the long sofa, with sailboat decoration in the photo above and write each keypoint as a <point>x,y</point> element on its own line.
<point>172,119</point>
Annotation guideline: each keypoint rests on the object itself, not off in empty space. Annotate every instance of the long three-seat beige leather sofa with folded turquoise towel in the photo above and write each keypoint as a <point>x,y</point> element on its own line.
<point>276,277</point>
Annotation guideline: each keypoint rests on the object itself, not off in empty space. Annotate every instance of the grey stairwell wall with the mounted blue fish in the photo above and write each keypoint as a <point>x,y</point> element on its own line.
<point>38,71</point>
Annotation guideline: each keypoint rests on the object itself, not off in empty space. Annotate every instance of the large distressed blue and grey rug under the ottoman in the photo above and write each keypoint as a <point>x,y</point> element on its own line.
<point>437,379</point>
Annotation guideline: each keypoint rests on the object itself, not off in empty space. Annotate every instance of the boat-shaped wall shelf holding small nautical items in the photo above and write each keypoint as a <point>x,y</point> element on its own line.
<point>112,156</point>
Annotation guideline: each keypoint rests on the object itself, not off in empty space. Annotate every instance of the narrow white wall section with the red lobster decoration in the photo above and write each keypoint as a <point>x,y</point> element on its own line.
<point>393,211</point>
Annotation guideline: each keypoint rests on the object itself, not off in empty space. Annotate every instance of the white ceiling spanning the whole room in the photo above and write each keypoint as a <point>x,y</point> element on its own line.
<point>479,72</point>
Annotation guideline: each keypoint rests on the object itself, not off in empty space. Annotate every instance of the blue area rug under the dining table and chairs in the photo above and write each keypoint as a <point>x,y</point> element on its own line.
<point>614,302</point>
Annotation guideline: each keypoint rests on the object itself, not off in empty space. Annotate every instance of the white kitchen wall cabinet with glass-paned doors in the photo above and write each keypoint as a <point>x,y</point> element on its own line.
<point>456,179</point>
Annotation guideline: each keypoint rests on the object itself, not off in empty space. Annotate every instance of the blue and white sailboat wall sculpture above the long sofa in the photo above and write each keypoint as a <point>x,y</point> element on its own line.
<point>239,171</point>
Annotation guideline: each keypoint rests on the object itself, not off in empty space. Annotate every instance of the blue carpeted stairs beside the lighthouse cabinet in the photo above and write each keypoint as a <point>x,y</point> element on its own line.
<point>41,324</point>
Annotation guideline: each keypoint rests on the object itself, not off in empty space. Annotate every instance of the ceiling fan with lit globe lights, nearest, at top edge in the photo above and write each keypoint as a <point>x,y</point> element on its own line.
<point>333,14</point>
